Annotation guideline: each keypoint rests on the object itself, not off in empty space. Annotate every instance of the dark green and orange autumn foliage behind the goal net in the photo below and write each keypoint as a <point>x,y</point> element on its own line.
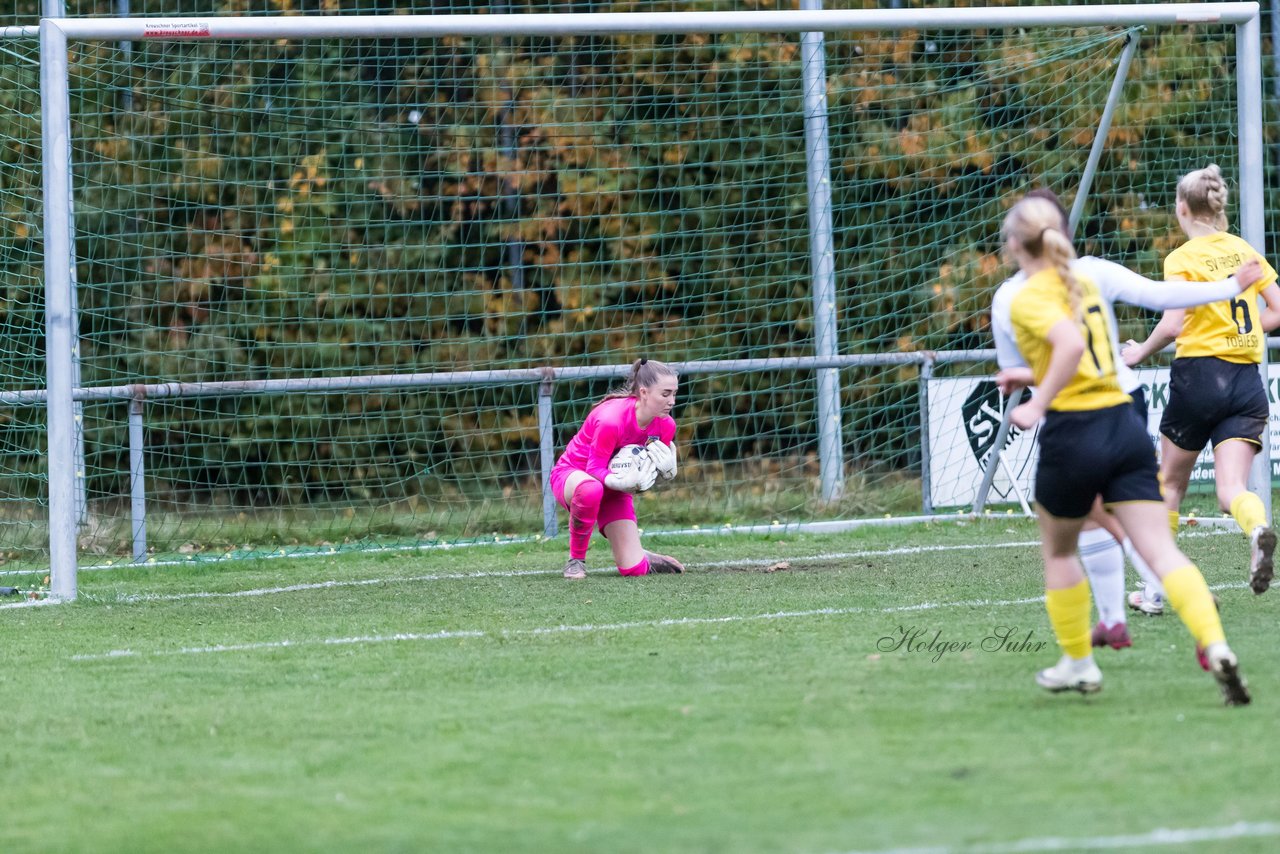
<point>310,209</point>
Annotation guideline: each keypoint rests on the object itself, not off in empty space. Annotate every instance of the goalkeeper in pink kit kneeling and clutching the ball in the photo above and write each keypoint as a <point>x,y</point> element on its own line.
<point>637,414</point>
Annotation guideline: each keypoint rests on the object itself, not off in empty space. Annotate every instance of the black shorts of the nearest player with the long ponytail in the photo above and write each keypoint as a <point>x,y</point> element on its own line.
<point>1098,453</point>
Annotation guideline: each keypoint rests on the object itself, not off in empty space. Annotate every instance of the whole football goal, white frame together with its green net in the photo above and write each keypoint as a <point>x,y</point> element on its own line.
<point>246,202</point>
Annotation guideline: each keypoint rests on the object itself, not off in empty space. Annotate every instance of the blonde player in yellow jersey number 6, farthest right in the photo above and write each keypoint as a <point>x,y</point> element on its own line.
<point>1217,392</point>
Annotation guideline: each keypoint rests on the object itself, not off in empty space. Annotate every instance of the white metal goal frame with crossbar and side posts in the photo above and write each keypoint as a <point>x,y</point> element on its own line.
<point>57,34</point>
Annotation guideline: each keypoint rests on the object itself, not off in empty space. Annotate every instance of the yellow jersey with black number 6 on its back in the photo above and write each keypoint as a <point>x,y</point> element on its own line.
<point>1229,330</point>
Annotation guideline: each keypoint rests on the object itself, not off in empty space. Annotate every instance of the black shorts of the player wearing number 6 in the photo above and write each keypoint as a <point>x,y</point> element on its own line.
<point>1214,400</point>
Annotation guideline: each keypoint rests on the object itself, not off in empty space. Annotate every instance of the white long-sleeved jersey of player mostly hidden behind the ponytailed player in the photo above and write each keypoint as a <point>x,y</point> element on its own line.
<point>1116,284</point>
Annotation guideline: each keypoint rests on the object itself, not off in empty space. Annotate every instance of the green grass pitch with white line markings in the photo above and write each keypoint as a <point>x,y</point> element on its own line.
<point>743,707</point>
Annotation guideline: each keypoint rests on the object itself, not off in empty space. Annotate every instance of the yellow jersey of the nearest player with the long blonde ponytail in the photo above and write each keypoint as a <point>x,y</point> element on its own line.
<point>1039,307</point>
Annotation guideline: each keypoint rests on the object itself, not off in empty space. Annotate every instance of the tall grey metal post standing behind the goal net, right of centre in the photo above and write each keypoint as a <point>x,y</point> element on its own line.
<point>822,257</point>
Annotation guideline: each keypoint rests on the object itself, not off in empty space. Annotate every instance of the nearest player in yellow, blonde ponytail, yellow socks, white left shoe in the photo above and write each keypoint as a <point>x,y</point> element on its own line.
<point>1091,444</point>
